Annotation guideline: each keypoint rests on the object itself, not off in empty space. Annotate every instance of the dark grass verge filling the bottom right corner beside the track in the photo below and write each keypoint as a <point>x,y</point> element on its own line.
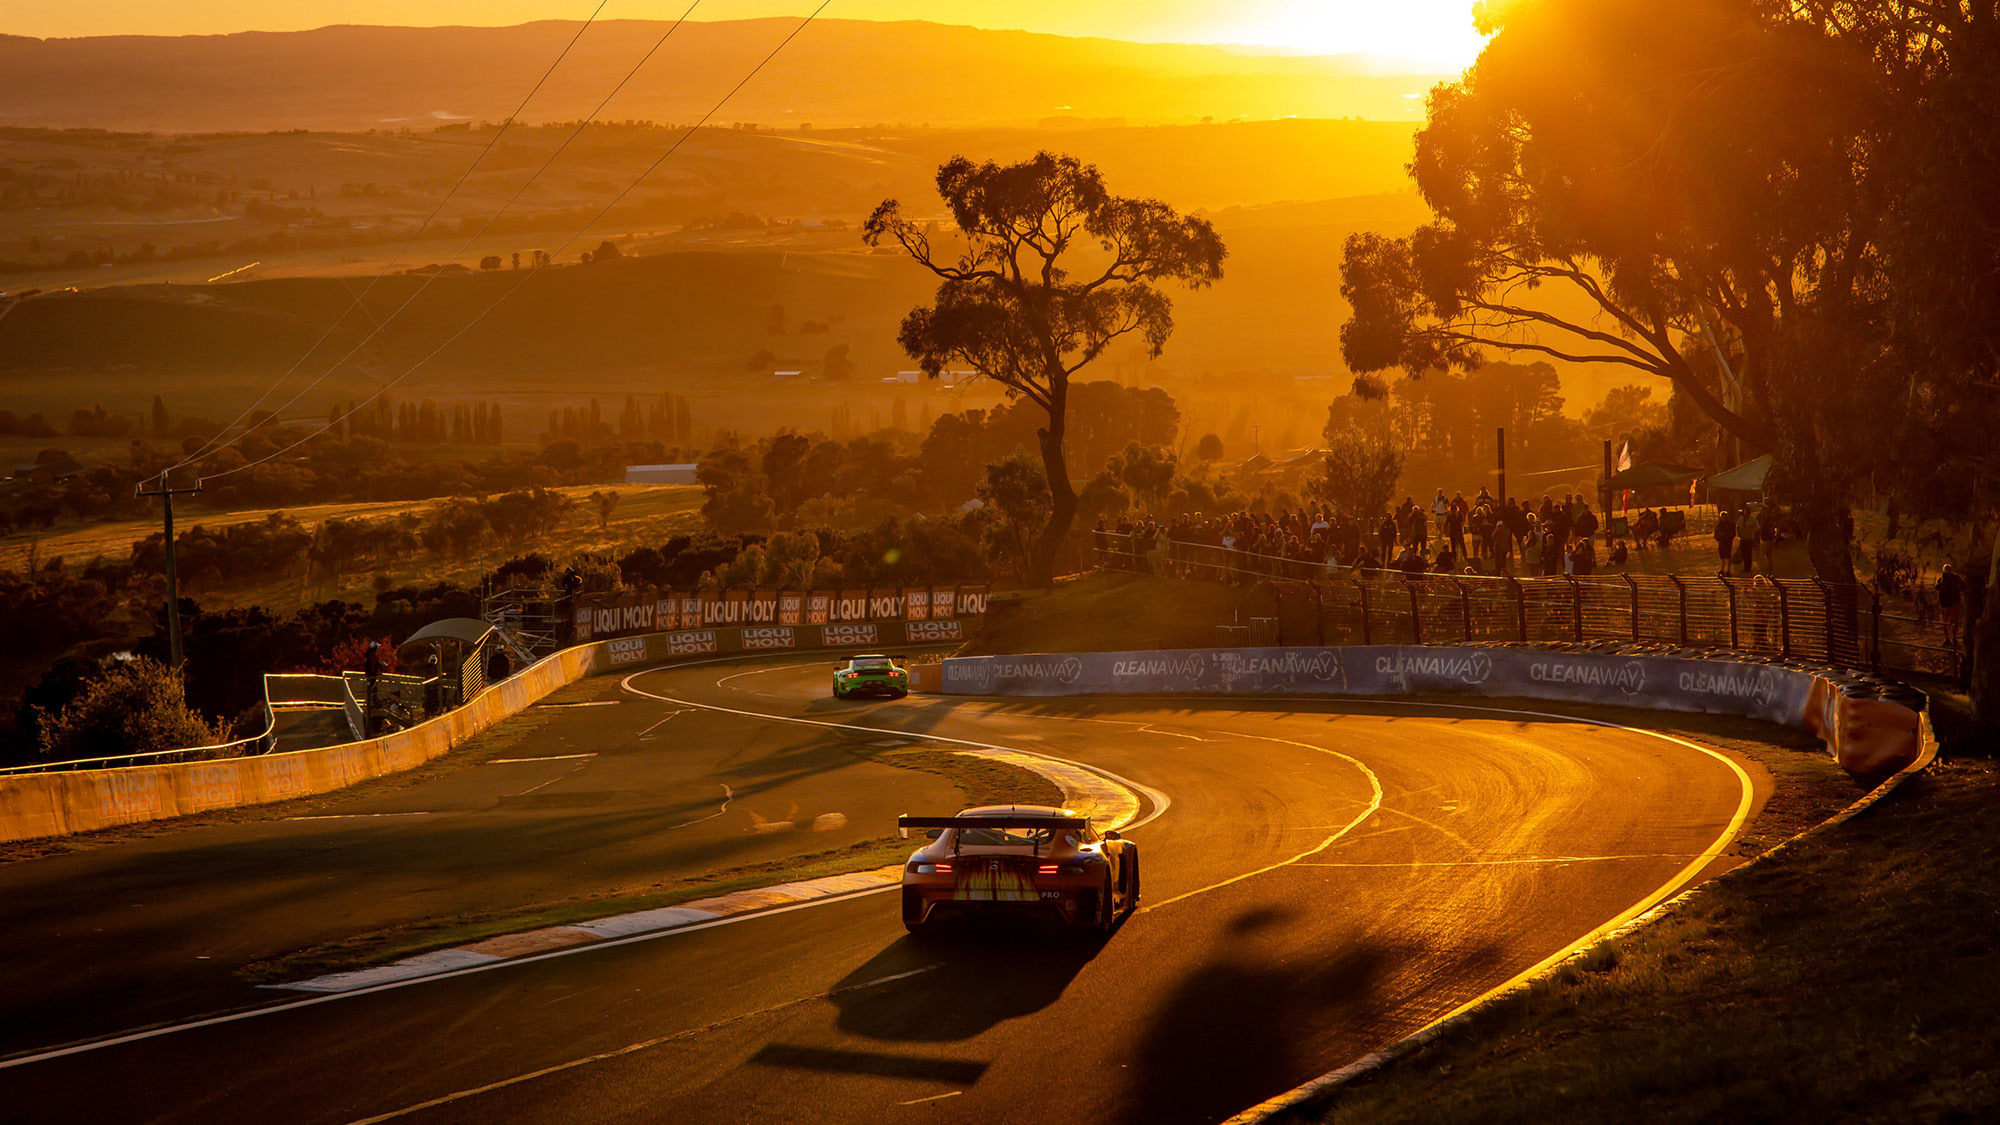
<point>1851,978</point>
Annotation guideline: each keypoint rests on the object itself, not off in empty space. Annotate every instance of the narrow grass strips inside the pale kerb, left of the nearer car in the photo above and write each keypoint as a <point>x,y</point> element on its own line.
<point>981,780</point>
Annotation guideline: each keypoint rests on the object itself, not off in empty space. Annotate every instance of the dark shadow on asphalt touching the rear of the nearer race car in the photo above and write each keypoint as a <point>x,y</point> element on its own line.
<point>963,982</point>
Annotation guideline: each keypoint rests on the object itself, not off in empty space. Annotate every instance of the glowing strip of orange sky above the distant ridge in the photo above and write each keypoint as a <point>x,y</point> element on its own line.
<point>1431,31</point>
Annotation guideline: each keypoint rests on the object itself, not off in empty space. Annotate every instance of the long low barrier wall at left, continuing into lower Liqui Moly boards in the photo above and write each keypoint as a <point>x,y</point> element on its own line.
<point>79,802</point>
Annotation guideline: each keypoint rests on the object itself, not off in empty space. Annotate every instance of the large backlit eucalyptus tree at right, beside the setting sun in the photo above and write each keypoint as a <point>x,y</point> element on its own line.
<point>1693,195</point>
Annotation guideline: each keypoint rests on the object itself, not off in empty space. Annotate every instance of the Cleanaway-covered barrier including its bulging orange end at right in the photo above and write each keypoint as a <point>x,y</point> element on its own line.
<point>1869,726</point>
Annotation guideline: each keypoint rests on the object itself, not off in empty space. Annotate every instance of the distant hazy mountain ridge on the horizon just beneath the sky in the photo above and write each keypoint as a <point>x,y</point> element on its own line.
<point>837,73</point>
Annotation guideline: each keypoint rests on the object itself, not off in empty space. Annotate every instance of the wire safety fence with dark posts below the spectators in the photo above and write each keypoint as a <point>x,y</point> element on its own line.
<point>1325,604</point>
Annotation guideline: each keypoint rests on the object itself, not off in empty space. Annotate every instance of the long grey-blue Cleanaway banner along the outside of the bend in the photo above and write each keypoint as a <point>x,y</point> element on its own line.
<point>1723,688</point>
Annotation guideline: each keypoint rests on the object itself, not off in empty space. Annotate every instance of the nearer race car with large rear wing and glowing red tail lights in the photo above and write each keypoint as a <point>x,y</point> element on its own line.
<point>1019,860</point>
